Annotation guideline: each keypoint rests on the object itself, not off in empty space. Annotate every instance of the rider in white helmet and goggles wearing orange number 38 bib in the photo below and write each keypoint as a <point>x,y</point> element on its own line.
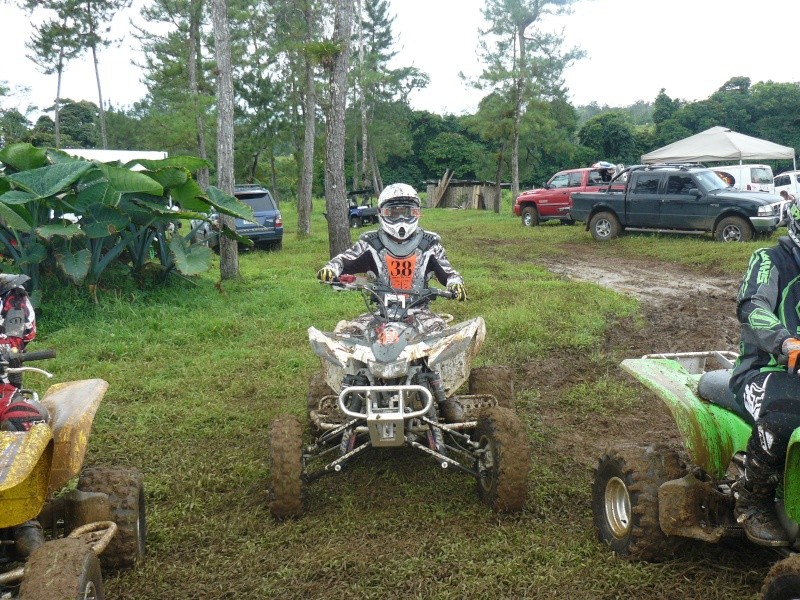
<point>401,255</point>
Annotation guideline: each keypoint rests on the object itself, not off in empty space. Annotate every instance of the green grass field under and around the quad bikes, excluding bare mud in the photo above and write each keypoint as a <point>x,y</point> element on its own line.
<point>197,373</point>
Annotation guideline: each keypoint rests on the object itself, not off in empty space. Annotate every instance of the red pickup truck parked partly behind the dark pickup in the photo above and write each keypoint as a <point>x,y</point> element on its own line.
<point>553,200</point>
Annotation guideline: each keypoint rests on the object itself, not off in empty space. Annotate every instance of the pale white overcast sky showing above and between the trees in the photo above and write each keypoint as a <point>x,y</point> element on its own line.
<point>633,47</point>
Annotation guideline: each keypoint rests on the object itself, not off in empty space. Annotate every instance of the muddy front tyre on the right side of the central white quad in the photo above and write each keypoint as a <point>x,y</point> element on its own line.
<point>504,461</point>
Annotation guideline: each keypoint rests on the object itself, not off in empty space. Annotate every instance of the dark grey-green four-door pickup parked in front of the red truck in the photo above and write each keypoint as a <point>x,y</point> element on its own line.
<point>677,198</point>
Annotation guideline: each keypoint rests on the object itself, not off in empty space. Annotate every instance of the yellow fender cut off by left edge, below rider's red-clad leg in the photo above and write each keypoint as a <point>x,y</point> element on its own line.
<point>25,459</point>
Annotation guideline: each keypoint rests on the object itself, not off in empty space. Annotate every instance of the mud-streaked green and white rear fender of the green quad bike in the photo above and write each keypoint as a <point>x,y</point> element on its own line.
<point>711,434</point>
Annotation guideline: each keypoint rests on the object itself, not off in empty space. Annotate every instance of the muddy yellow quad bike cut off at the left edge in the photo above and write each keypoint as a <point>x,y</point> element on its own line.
<point>99,521</point>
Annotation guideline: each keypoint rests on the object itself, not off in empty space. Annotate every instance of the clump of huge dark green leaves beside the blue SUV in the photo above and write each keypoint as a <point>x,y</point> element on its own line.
<point>117,209</point>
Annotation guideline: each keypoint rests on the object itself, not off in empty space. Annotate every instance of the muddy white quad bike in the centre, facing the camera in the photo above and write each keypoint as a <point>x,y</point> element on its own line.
<point>386,388</point>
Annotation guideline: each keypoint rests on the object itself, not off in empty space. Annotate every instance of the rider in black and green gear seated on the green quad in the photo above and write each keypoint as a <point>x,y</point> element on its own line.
<point>766,379</point>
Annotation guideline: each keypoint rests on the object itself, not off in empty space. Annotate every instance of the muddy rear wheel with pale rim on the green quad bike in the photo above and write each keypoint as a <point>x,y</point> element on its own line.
<point>625,501</point>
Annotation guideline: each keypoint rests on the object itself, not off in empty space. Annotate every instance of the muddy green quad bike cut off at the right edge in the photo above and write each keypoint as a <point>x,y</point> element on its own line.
<point>647,502</point>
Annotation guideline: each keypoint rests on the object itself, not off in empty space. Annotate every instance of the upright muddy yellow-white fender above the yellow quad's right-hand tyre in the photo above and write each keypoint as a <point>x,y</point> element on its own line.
<point>72,406</point>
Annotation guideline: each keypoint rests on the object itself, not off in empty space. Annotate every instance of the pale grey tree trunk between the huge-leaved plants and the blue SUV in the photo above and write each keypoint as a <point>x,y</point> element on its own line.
<point>229,255</point>
